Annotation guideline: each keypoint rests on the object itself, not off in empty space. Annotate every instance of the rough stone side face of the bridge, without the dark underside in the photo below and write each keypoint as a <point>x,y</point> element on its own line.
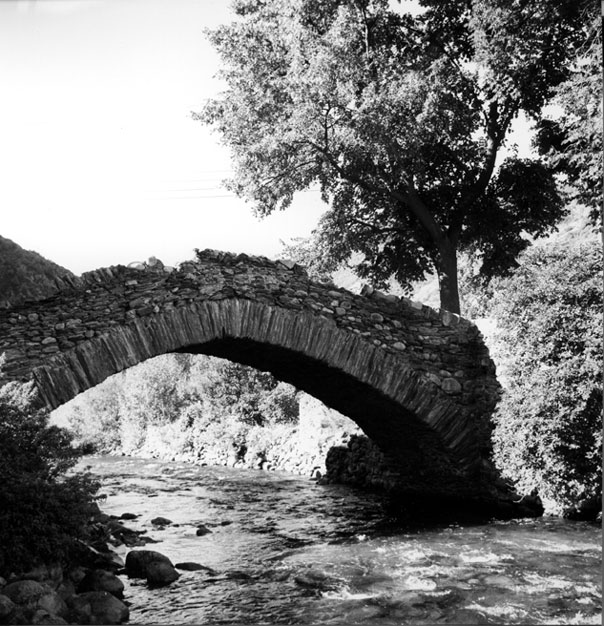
<point>433,363</point>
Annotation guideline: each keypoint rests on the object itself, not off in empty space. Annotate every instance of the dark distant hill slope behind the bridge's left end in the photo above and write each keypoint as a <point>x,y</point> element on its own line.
<point>25,275</point>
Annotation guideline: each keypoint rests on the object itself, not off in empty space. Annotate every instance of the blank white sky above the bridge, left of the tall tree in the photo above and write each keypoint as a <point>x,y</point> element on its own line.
<point>100,161</point>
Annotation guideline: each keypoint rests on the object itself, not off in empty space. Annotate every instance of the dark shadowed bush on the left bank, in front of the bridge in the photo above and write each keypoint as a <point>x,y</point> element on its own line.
<point>43,512</point>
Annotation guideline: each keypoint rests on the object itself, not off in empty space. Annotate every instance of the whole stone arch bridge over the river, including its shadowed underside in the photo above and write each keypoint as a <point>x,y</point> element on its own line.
<point>419,382</point>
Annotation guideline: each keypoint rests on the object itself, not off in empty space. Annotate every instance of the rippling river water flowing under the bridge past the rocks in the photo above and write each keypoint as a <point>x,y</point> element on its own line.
<point>284,550</point>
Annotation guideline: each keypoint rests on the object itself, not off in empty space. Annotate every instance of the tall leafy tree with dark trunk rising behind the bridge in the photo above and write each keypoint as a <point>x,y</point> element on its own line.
<point>399,121</point>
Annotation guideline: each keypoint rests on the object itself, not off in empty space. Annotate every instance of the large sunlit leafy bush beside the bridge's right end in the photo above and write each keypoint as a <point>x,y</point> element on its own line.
<point>549,352</point>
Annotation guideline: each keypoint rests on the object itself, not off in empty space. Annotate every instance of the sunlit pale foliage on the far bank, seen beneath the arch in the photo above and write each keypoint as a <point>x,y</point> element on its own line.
<point>209,402</point>
